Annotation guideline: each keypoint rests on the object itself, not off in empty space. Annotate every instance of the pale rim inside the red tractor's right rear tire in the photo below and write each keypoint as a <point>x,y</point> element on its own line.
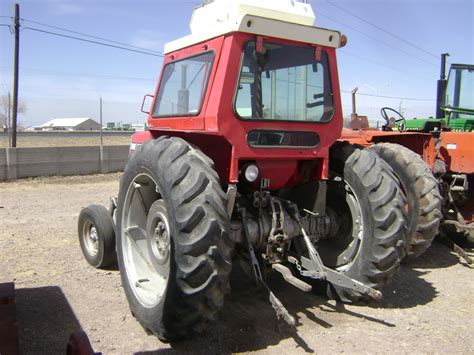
<point>339,252</point>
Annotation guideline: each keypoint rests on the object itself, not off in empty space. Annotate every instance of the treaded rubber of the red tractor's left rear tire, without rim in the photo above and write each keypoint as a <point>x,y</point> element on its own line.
<point>200,250</point>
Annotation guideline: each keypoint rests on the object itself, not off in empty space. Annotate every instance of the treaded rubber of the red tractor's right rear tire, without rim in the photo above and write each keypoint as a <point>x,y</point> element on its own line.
<point>381,204</point>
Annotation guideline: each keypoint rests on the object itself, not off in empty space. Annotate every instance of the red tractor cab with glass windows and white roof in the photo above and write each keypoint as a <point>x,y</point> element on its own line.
<point>258,80</point>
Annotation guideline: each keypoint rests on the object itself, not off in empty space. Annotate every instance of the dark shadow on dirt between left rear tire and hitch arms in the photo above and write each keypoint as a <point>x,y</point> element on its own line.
<point>248,321</point>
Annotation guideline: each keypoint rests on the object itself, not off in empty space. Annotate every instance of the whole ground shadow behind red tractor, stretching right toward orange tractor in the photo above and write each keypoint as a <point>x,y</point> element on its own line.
<point>248,322</point>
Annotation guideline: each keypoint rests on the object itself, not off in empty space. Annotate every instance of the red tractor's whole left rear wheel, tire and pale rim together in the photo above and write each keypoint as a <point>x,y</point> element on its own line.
<point>173,238</point>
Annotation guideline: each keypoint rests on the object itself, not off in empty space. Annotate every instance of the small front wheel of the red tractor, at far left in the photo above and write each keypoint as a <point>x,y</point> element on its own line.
<point>97,236</point>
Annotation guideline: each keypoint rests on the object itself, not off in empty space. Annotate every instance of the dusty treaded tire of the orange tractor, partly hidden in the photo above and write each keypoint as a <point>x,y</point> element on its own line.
<point>423,196</point>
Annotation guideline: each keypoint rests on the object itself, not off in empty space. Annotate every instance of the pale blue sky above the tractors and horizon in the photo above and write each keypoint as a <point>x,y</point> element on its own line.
<point>393,50</point>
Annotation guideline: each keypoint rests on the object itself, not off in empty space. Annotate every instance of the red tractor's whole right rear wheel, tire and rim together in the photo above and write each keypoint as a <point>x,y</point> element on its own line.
<point>369,245</point>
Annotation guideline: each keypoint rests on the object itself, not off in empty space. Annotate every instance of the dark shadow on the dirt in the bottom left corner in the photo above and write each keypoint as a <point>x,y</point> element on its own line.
<point>45,320</point>
